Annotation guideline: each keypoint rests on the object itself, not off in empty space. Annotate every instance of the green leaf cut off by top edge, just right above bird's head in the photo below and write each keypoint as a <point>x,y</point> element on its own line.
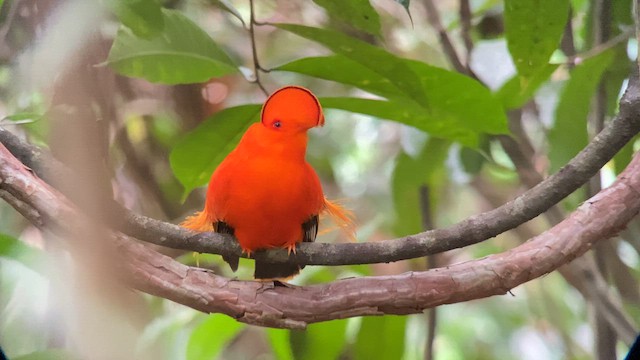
<point>358,13</point>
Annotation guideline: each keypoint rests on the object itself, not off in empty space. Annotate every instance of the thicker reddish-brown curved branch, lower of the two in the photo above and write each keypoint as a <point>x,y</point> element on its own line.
<point>275,305</point>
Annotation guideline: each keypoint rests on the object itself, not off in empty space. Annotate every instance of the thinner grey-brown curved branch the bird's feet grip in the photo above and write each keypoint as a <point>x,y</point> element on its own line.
<point>470,231</point>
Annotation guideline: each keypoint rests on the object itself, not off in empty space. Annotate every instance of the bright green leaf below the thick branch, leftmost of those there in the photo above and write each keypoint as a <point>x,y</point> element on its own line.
<point>208,340</point>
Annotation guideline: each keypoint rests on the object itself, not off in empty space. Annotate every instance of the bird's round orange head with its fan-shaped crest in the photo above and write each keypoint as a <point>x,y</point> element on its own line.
<point>292,109</point>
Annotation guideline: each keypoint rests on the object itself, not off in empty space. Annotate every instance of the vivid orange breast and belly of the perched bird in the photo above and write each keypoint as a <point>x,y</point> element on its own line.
<point>266,200</point>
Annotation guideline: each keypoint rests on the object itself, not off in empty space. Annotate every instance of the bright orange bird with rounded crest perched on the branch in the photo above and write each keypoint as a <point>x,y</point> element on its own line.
<point>264,192</point>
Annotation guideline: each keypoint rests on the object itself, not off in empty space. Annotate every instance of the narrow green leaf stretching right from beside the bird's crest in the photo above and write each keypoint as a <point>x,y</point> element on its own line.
<point>409,113</point>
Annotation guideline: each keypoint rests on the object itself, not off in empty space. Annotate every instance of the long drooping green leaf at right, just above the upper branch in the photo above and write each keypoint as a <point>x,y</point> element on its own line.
<point>569,133</point>
